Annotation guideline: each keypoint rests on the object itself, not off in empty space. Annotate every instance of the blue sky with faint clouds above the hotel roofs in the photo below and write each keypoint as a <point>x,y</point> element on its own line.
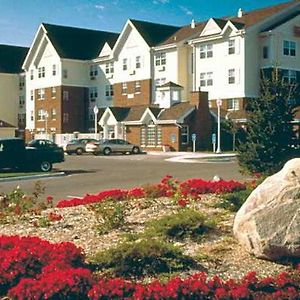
<point>19,19</point>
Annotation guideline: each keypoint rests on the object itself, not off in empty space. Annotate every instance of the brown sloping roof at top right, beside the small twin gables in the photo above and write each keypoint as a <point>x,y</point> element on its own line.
<point>255,16</point>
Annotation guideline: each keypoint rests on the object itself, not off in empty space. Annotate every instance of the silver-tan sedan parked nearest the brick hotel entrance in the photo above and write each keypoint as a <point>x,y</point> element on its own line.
<point>108,146</point>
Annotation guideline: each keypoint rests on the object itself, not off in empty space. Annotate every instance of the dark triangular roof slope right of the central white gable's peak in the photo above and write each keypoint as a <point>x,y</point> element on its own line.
<point>154,33</point>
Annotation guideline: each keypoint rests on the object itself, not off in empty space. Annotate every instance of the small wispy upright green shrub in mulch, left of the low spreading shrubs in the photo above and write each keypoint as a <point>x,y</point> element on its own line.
<point>110,214</point>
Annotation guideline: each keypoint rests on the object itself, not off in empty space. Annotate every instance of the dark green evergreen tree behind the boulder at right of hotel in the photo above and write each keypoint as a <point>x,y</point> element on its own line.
<point>269,130</point>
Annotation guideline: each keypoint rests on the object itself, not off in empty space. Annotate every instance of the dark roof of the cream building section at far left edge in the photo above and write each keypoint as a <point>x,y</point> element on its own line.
<point>11,58</point>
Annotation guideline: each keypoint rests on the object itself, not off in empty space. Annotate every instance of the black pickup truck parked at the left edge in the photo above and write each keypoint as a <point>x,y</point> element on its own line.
<point>38,154</point>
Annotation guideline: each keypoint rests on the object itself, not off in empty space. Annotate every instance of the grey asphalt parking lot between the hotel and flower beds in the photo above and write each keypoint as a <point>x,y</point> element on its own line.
<point>92,174</point>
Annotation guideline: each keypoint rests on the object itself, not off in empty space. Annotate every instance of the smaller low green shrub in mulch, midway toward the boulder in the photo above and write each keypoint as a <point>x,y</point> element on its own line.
<point>187,223</point>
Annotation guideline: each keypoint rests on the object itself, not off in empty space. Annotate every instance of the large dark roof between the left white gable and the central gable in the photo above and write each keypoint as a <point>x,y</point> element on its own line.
<point>78,43</point>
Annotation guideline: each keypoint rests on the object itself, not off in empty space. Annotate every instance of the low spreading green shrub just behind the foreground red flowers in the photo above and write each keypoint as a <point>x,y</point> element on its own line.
<point>143,257</point>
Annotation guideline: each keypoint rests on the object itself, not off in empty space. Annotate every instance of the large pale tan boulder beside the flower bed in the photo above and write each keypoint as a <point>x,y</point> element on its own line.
<point>268,224</point>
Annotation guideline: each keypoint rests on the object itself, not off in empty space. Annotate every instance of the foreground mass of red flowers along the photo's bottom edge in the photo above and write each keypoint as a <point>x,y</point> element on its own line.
<point>35,269</point>
